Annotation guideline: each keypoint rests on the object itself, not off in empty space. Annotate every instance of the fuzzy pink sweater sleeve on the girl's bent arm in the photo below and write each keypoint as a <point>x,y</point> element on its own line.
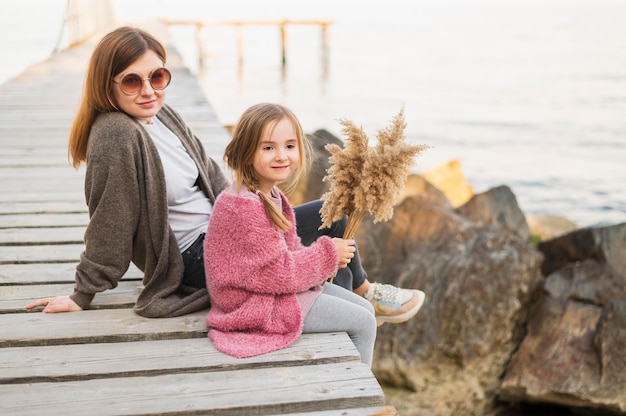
<point>244,250</point>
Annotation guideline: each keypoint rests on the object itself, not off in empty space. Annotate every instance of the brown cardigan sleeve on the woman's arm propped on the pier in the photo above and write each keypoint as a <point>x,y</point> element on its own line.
<point>111,193</point>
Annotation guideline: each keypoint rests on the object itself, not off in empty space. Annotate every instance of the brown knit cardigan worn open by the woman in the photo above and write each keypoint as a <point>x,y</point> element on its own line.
<point>126,195</point>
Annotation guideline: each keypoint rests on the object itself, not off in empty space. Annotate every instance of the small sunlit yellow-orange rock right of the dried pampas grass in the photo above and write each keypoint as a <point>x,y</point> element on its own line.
<point>449,178</point>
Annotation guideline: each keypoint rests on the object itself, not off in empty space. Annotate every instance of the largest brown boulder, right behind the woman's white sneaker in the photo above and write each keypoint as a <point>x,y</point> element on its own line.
<point>479,280</point>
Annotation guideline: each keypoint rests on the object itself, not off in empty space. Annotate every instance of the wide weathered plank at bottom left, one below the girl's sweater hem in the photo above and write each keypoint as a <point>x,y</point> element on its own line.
<point>249,392</point>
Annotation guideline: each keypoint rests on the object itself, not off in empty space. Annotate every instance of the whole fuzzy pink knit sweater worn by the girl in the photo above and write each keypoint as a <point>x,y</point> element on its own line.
<point>253,274</point>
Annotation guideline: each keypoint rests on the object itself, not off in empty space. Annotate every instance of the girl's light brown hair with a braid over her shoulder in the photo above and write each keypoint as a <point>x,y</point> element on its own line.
<point>247,135</point>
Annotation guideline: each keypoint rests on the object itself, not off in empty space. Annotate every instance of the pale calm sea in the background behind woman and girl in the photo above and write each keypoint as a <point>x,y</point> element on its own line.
<point>529,94</point>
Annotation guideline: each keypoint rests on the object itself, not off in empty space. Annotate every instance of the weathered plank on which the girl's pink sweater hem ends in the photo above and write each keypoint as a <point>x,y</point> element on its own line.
<point>144,358</point>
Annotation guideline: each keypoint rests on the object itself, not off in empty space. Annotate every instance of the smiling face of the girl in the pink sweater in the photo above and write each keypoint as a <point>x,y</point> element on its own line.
<point>277,156</point>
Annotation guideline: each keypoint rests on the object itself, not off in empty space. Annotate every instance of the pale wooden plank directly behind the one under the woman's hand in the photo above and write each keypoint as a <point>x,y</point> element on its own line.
<point>43,273</point>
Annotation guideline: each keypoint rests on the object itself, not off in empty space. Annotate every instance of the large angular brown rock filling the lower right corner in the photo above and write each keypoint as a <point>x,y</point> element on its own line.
<point>573,354</point>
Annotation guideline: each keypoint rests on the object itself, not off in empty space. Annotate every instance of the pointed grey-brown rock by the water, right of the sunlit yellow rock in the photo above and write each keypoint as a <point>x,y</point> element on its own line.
<point>497,206</point>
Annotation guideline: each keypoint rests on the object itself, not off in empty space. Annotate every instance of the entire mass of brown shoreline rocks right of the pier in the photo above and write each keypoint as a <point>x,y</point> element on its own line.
<point>522,316</point>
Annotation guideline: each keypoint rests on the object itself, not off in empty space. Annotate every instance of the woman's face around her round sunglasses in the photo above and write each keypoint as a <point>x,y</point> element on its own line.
<point>147,102</point>
